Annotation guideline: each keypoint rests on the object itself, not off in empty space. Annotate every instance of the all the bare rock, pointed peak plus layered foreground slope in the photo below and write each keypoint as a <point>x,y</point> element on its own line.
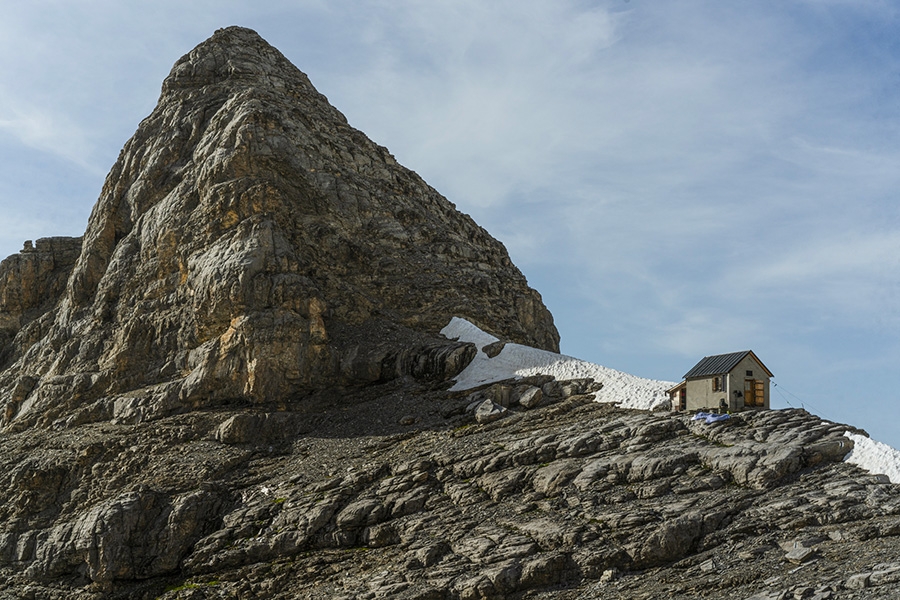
<point>233,386</point>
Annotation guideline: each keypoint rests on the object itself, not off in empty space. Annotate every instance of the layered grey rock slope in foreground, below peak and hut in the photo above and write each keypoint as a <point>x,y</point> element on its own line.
<point>335,498</point>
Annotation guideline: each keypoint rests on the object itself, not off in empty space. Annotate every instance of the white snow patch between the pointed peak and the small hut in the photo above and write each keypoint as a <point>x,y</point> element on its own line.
<point>517,361</point>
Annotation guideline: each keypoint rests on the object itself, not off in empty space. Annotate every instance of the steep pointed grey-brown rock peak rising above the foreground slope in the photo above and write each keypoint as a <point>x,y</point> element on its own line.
<point>247,244</point>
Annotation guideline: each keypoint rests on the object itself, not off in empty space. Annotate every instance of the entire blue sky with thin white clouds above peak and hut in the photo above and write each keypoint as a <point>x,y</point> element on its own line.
<point>677,179</point>
